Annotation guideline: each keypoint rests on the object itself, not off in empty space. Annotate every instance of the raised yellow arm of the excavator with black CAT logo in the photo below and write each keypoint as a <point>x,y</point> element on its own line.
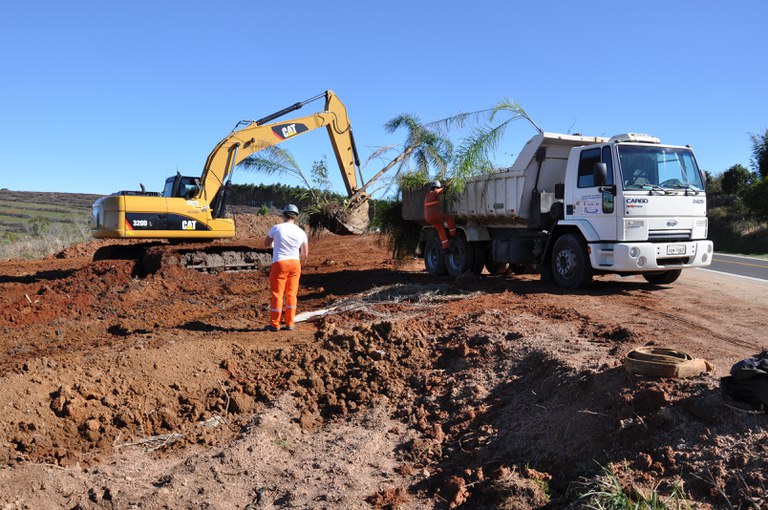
<point>260,134</point>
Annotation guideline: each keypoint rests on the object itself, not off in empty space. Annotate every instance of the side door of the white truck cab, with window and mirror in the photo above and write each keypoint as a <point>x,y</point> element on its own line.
<point>590,203</point>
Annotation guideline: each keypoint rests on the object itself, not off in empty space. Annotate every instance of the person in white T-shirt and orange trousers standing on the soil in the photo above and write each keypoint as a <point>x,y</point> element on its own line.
<point>289,247</point>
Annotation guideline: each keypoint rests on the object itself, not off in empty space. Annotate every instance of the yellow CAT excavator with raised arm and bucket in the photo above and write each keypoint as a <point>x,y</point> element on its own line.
<point>194,208</point>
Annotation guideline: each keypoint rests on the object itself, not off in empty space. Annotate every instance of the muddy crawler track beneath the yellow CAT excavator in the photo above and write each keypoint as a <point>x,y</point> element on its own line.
<point>152,257</point>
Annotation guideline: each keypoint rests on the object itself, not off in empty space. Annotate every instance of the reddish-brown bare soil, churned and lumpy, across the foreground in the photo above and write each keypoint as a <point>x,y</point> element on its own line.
<point>118,391</point>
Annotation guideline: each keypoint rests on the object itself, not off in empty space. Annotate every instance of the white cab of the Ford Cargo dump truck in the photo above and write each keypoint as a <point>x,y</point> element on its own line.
<point>634,206</point>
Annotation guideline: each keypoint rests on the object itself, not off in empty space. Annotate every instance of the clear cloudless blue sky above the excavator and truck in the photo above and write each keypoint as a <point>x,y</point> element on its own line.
<point>98,97</point>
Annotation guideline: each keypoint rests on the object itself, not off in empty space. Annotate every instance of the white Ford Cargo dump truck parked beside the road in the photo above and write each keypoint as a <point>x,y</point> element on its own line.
<point>574,206</point>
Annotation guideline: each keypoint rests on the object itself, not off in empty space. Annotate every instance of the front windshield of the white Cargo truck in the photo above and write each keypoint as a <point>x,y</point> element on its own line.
<point>644,167</point>
